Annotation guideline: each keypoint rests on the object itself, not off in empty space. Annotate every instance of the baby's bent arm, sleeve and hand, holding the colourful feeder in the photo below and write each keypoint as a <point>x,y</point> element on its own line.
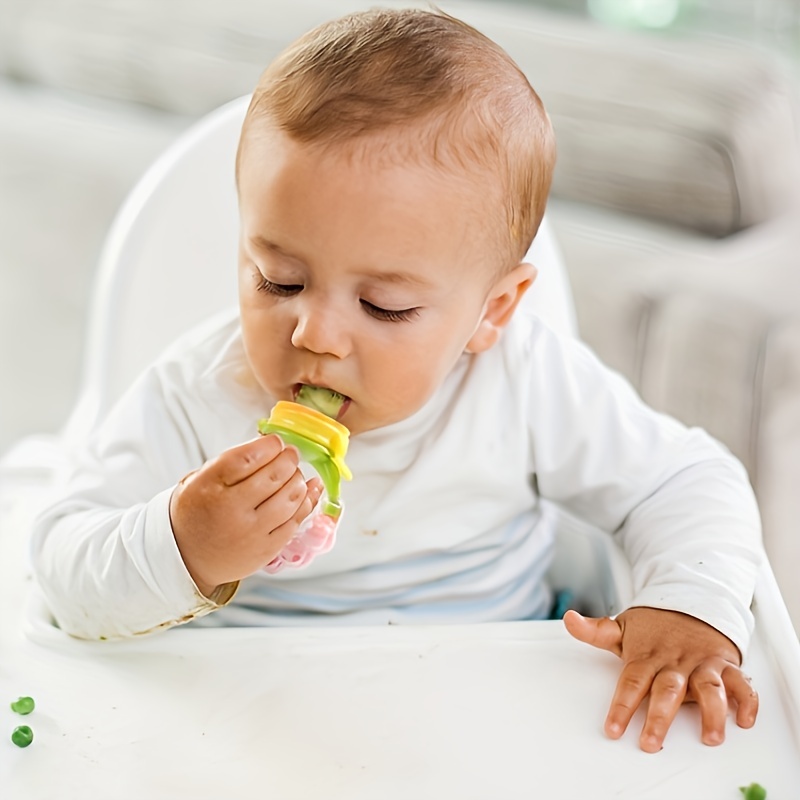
<point>105,555</point>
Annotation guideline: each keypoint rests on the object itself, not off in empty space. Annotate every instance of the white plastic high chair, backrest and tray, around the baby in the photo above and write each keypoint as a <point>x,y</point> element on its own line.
<point>452,711</point>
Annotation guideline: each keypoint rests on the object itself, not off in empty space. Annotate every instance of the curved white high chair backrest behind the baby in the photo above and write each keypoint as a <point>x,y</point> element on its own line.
<point>169,262</point>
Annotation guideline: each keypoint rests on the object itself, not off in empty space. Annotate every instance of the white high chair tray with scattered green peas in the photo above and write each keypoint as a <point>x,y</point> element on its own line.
<point>510,710</point>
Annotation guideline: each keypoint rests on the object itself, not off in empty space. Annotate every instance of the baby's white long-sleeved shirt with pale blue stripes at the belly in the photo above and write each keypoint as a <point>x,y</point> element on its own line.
<point>444,519</point>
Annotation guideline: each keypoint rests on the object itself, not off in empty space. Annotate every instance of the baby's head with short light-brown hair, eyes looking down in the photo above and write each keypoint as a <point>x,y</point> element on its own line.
<point>393,170</point>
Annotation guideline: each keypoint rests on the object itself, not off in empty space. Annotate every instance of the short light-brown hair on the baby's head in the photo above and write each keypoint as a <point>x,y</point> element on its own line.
<point>468,103</point>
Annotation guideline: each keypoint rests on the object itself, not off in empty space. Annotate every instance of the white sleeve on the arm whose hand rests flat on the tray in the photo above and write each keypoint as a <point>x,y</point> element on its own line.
<point>678,502</point>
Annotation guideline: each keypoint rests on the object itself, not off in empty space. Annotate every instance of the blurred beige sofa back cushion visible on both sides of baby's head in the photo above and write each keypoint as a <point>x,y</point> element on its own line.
<point>689,132</point>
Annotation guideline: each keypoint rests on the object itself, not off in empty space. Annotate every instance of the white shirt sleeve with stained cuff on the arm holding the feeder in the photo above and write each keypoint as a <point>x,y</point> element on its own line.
<point>104,553</point>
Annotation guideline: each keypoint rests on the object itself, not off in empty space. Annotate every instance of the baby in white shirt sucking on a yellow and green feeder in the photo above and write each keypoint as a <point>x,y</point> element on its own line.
<point>392,172</point>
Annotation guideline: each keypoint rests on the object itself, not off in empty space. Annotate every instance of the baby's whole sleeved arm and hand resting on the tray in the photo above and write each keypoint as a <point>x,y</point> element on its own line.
<point>685,515</point>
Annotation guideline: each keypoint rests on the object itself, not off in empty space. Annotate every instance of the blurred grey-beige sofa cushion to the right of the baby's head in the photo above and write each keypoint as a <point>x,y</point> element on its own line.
<point>698,133</point>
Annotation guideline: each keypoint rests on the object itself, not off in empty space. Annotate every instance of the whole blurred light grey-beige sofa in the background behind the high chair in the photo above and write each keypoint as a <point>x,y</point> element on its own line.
<point>675,199</point>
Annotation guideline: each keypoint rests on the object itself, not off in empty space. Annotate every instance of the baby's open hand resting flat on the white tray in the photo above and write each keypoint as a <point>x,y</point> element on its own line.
<point>674,658</point>
